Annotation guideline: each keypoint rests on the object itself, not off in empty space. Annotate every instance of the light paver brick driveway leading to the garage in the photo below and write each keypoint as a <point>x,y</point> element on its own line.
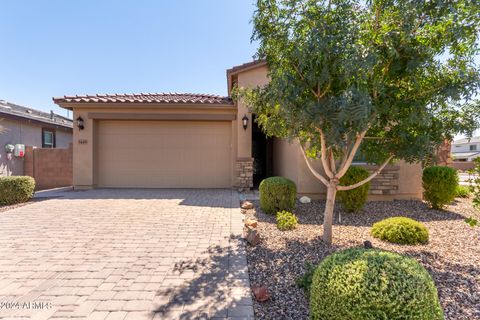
<point>125,254</point>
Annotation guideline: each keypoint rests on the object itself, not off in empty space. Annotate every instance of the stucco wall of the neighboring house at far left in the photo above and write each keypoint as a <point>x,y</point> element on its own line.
<point>29,135</point>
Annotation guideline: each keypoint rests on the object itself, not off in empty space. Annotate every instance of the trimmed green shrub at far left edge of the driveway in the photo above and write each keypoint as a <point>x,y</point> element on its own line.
<point>16,189</point>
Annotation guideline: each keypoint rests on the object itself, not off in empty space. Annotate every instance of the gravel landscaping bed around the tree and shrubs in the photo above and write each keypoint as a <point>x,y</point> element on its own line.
<point>452,256</point>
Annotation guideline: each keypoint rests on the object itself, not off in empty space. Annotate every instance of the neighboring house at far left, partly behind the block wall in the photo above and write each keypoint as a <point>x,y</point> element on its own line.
<point>22,125</point>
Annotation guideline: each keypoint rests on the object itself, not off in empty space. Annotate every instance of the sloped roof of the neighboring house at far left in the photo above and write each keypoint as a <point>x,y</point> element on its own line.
<point>14,111</point>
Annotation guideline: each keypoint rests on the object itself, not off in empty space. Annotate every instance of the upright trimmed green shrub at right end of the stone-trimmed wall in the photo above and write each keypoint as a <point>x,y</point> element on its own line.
<point>439,185</point>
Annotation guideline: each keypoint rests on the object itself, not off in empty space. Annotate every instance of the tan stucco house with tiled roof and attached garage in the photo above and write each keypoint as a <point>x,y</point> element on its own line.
<point>196,141</point>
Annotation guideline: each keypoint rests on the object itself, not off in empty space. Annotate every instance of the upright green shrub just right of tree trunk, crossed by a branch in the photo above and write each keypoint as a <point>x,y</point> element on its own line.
<point>354,200</point>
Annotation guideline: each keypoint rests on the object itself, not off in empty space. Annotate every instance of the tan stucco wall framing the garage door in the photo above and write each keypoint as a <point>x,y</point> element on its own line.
<point>84,161</point>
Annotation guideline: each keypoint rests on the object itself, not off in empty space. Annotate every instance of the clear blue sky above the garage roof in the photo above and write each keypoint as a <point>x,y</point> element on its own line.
<point>51,48</point>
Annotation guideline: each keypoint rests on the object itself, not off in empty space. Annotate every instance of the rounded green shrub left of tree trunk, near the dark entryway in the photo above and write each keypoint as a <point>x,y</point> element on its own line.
<point>277,194</point>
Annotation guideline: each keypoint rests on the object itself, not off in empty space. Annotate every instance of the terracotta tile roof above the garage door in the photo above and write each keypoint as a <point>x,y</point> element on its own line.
<point>173,98</point>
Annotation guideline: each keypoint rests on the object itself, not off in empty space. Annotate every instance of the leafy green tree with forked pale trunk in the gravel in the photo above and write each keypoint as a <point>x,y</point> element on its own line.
<point>390,78</point>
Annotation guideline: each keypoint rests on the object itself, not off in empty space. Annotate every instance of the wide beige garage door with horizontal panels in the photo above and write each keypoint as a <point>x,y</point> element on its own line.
<point>164,154</point>
